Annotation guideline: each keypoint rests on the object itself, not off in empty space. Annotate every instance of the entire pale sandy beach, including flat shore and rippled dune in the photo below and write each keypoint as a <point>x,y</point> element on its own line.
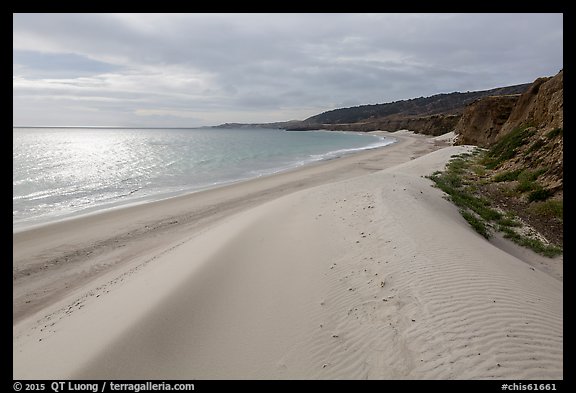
<point>354,268</point>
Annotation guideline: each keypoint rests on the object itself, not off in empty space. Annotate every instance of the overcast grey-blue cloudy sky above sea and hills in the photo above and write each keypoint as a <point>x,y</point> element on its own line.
<point>188,70</point>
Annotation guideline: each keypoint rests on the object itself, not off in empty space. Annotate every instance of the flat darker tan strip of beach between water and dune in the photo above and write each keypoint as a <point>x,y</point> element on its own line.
<point>91,244</point>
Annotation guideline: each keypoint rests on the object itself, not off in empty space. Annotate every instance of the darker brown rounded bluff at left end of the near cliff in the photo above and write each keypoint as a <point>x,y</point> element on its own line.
<point>482,120</point>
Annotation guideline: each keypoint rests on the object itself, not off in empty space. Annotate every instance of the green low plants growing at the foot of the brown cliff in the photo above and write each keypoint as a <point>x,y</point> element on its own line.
<point>463,178</point>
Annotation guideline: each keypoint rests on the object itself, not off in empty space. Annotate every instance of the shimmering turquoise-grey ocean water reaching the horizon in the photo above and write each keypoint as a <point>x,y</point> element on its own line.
<point>61,172</point>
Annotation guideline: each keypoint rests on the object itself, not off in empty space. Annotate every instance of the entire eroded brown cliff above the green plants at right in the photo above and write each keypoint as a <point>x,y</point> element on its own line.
<point>535,120</point>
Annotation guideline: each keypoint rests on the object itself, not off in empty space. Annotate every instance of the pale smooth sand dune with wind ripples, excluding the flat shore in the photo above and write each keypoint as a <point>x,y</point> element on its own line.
<point>374,277</point>
